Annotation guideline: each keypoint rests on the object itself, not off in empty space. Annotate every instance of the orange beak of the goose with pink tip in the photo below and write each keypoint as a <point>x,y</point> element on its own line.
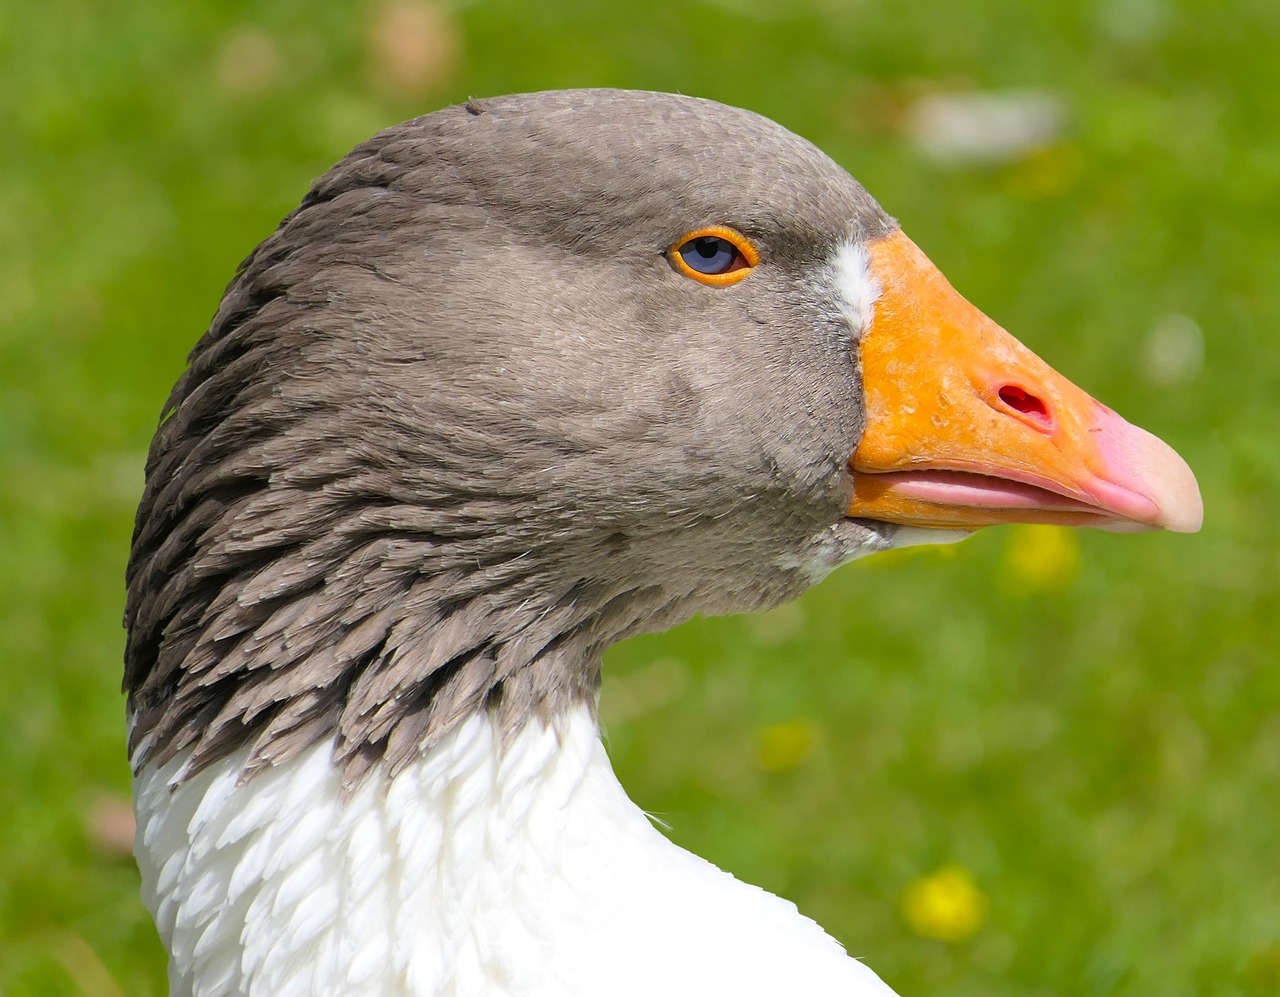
<point>967,428</point>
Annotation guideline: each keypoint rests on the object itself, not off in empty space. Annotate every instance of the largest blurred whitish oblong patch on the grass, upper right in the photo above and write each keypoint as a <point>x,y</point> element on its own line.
<point>991,127</point>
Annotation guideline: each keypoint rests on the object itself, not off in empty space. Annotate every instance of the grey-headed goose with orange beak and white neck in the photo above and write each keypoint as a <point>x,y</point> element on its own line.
<point>516,381</point>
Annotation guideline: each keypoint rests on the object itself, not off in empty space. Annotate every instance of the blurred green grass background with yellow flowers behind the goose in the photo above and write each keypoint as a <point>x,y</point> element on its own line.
<point>1040,763</point>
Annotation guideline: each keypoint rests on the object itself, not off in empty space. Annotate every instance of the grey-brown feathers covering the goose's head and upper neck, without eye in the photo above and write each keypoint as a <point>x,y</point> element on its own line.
<point>459,426</point>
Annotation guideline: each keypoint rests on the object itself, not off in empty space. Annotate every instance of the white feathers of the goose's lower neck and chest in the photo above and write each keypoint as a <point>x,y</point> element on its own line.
<point>478,871</point>
